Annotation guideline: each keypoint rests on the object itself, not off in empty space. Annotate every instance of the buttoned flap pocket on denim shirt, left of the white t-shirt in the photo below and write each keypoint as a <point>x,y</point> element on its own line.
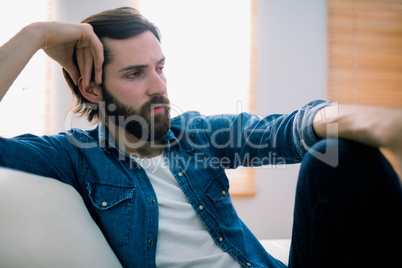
<point>114,207</point>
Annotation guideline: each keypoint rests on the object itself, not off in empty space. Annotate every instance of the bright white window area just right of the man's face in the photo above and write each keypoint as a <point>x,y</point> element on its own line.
<point>207,47</point>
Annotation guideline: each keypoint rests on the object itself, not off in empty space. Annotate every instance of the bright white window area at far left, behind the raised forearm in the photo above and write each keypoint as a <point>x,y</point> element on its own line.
<point>24,108</point>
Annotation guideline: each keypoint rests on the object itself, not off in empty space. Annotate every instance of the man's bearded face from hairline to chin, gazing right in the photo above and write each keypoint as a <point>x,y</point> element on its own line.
<point>134,88</point>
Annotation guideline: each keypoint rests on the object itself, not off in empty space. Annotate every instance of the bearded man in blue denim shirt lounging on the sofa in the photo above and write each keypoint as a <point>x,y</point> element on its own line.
<point>152,184</point>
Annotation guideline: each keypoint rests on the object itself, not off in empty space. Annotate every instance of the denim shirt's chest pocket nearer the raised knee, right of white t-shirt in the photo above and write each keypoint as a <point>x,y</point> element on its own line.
<point>218,192</point>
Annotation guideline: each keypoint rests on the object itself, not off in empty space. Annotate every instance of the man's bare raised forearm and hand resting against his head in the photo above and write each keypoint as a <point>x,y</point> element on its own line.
<point>58,40</point>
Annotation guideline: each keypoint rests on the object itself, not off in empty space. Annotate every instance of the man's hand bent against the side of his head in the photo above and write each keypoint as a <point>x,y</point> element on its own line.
<point>60,40</point>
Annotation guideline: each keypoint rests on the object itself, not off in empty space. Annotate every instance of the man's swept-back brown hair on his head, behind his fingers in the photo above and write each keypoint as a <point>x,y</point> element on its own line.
<point>120,23</point>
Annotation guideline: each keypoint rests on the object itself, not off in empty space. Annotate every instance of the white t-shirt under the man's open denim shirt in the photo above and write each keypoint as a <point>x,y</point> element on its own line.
<point>183,240</point>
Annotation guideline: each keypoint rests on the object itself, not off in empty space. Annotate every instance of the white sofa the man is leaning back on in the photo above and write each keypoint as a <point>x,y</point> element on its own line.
<point>44,223</point>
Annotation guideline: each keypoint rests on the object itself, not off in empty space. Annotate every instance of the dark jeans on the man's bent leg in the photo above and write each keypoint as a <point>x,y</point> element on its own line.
<point>349,215</point>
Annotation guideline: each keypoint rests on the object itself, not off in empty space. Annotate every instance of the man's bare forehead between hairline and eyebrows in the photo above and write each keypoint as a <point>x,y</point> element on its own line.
<point>143,48</point>
